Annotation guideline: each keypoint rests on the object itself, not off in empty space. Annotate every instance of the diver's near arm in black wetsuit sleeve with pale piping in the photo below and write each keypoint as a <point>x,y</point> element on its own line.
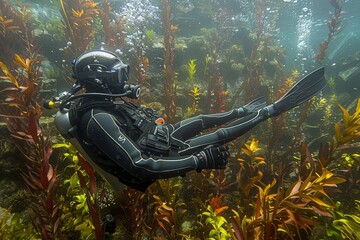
<point>104,132</point>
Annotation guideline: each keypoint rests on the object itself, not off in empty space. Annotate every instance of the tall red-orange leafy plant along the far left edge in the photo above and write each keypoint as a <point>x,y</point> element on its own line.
<point>21,112</point>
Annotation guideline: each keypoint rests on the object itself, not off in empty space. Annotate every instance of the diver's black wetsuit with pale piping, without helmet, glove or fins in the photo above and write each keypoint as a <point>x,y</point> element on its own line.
<point>125,140</point>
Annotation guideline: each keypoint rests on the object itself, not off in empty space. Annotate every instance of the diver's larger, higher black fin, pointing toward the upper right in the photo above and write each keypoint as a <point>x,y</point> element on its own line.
<point>302,91</point>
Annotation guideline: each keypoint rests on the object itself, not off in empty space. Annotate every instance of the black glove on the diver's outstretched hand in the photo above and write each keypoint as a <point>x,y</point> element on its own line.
<point>212,158</point>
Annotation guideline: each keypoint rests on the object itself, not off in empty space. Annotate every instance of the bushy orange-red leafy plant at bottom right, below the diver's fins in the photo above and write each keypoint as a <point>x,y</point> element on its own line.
<point>289,210</point>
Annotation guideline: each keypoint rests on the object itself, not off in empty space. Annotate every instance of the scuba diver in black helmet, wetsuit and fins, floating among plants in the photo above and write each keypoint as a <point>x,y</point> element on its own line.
<point>130,145</point>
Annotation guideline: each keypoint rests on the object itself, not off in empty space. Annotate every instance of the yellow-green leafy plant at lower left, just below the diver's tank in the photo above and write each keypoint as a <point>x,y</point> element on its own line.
<point>83,212</point>
